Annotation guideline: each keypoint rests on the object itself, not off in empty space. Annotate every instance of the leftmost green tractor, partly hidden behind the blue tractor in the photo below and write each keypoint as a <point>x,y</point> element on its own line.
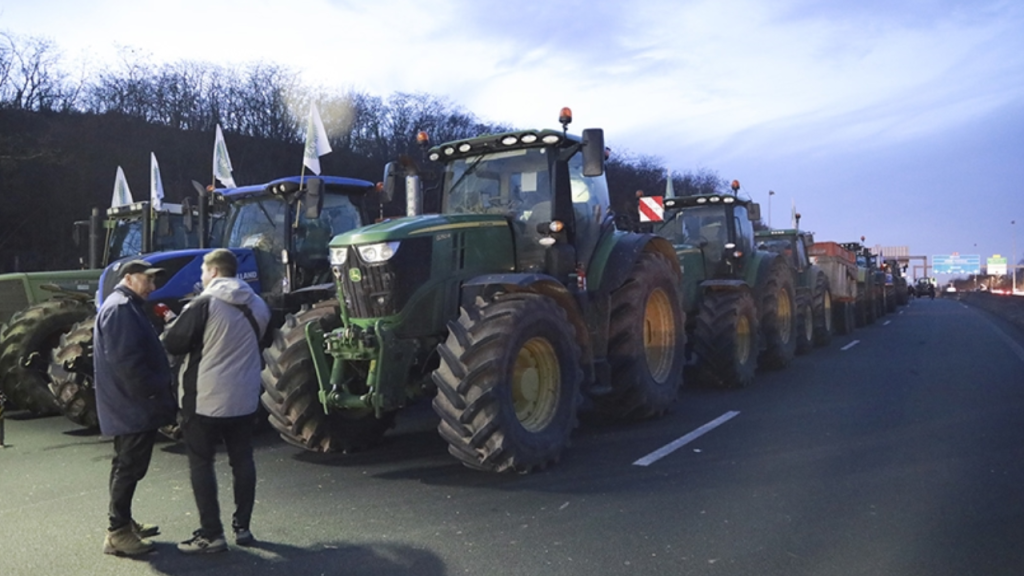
<point>46,305</point>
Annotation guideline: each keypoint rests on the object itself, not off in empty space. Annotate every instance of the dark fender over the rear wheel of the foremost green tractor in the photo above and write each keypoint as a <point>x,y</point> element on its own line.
<point>617,254</point>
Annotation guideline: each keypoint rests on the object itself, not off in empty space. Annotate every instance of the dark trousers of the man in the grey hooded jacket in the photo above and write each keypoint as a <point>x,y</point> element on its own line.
<point>202,434</point>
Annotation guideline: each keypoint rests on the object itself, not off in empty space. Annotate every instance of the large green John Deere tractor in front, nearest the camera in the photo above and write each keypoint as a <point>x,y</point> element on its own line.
<point>517,305</point>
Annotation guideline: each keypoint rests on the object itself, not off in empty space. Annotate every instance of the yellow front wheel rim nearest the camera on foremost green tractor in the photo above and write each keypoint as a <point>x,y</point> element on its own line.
<point>536,382</point>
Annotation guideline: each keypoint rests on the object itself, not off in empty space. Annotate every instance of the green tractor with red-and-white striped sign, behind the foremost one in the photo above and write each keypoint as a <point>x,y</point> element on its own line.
<point>741,302</point>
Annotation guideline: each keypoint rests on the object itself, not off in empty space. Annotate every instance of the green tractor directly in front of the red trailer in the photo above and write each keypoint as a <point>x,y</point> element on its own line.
<point>814,292</point>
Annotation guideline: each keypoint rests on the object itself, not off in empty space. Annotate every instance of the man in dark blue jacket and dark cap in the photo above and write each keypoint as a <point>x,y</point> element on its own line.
<point>135,398</point>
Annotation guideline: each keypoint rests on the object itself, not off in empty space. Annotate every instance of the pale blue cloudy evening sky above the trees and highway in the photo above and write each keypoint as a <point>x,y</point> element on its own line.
<point>901,121</point>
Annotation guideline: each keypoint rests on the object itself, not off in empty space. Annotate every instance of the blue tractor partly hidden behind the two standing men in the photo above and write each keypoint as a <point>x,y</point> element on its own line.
<point>280,232</point>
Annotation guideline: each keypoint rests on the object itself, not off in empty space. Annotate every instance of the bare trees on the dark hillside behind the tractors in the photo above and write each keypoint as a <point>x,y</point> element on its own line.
<point>63,137</point>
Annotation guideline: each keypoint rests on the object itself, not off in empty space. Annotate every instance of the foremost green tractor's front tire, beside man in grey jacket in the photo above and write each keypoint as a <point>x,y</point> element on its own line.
<point>291,393</point>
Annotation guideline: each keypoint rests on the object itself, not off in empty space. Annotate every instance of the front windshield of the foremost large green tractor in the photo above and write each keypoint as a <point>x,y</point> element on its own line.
<point>517,184</point>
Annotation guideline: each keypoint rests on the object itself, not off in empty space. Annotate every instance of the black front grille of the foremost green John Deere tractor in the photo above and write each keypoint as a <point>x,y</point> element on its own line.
<point>382,290</point>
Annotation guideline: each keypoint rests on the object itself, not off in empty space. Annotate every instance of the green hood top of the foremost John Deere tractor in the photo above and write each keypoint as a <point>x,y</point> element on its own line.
<point>417,227</point>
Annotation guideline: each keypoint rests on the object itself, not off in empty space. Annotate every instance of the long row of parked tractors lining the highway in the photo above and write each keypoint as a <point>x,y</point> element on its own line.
<point>517,309</point>
